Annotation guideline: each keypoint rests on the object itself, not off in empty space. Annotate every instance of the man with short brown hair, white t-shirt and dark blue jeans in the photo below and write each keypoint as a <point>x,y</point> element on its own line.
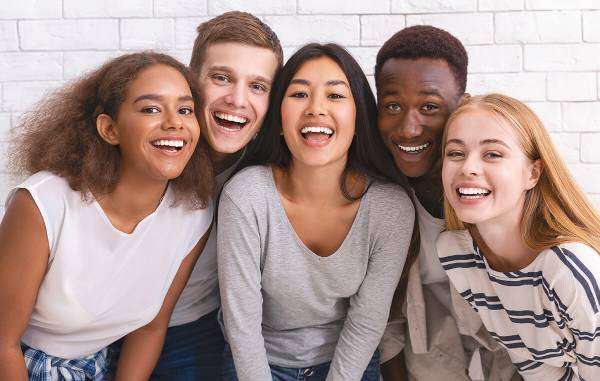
<point>235,58</point>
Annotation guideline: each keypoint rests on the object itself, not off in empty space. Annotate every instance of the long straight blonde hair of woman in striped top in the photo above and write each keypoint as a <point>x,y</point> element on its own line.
<point>555,210</point>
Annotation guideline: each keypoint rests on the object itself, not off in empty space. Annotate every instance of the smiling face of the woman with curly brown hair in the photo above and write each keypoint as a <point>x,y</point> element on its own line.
<point>155,127</point>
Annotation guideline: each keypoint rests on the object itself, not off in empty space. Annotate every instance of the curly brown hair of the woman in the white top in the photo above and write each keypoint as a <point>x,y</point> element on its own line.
<point>60,136</point>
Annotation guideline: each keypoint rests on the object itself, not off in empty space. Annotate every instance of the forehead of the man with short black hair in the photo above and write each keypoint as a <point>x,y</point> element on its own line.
<point>411,76</point>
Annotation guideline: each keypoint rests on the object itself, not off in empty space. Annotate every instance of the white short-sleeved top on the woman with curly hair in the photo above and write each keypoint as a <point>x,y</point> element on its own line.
<point>102,283</point>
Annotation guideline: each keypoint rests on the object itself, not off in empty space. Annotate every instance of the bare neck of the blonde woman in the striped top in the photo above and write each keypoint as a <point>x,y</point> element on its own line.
<point>504,245</point>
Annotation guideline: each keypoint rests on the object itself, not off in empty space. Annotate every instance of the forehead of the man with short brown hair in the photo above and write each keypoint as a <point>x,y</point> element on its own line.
<point>242,59</point>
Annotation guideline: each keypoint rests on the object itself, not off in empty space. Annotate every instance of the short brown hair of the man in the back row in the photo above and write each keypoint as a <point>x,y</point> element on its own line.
<point>238,27</point>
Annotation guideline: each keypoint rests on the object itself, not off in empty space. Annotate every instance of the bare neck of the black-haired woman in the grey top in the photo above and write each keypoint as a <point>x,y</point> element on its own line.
<point>314,185</point>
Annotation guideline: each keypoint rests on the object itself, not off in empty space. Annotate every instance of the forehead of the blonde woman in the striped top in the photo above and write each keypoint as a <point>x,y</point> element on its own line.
<point>476,125</point>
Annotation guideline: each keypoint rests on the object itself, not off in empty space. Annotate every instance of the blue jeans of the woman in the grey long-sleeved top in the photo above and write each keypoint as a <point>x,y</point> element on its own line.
<point>313,373</point>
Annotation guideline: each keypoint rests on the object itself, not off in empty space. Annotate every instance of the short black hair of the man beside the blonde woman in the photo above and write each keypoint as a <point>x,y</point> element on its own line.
<point>426,41</point>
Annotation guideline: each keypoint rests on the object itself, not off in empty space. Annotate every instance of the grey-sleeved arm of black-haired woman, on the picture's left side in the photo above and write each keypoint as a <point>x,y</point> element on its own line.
<point>238,253</point>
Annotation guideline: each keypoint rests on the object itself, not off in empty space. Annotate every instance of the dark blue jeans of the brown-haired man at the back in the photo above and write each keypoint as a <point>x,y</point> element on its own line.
<point>191,352</point>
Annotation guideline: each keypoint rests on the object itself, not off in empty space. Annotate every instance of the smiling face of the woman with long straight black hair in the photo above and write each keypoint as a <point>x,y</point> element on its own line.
<point>318,114</point>
